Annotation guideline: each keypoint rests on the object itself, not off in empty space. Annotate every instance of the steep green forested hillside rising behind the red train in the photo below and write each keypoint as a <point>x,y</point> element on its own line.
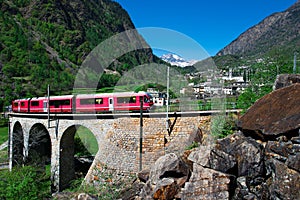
<point>43,42</point>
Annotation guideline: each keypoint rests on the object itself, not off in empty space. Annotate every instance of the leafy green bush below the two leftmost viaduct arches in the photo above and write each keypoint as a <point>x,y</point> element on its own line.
<point>24,183</point>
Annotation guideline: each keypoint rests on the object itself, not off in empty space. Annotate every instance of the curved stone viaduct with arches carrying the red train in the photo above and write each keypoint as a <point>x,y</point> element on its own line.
<point>117,135</point>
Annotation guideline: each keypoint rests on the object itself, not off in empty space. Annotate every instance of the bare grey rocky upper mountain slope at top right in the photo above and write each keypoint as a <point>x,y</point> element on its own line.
<point>278,32</point>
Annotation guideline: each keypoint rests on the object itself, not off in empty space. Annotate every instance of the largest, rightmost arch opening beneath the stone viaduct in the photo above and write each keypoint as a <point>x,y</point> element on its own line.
<point>70,166</point>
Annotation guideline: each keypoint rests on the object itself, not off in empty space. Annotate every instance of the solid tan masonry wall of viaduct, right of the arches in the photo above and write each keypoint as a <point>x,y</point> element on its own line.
<point>120,149</point>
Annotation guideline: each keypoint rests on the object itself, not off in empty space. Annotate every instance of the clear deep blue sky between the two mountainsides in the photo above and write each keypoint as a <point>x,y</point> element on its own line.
<point>211,24</point>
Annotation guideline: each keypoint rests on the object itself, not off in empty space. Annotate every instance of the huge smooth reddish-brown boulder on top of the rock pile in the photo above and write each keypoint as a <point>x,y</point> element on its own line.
<point>275,114</point>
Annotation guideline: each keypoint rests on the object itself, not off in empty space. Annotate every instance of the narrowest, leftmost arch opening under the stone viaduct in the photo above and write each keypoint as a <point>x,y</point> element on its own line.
<point>17,144</point>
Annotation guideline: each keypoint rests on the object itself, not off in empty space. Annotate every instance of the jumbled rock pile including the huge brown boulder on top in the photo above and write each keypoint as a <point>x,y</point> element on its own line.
<point>242,165</point>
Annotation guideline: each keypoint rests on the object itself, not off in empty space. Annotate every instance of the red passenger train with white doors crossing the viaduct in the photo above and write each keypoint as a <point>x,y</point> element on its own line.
<point>85,103</point>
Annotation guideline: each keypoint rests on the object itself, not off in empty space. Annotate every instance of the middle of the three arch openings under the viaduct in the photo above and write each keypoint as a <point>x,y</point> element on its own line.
<point>39,146</point>
